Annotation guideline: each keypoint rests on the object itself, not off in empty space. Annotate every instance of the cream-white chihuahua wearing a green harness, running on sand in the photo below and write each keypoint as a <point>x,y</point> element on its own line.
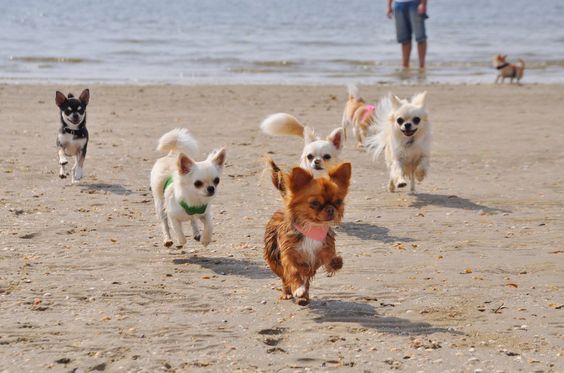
<point>183,188</point>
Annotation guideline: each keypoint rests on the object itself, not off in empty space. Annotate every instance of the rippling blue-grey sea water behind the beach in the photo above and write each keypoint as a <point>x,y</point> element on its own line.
<point>270,41</point>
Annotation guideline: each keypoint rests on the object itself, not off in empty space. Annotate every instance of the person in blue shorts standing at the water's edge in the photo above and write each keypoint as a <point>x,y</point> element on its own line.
<point>410,18</point>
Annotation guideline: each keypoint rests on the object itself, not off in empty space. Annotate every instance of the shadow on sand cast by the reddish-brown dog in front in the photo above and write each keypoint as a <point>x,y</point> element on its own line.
<point>366,316</point>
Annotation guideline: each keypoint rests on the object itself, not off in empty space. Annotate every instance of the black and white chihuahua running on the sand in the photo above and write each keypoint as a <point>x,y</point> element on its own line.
<point>73,135</point>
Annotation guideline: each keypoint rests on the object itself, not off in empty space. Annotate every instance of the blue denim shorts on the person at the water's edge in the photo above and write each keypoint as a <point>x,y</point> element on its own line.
<point>409,22</point>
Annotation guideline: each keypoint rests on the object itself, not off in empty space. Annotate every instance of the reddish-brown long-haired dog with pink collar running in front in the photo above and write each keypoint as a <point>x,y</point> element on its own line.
<point>299,239</point>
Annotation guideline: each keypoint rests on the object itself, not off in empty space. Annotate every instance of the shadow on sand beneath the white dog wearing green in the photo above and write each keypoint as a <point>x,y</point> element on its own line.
<point>229,266</point>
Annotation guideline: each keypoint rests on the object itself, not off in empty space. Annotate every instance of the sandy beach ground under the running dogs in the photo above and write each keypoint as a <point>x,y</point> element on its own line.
<point>466,275</point>
